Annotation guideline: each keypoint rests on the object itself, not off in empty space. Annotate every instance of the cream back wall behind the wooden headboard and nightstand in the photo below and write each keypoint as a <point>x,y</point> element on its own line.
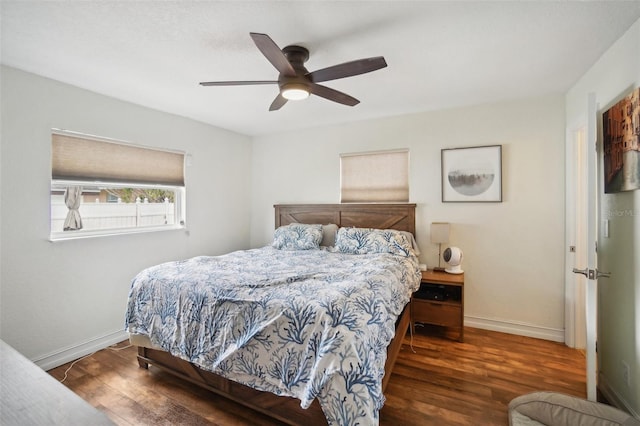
<point>514,265</point>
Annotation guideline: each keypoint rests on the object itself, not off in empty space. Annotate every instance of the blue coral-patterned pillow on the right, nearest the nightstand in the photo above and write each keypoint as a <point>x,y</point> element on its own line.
<point>368,240</point>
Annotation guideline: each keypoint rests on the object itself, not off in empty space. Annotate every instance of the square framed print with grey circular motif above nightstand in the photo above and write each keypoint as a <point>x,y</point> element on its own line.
<point>472,175</point>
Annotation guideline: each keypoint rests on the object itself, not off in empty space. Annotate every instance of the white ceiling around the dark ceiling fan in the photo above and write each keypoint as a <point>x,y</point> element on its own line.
<point>439,54</point>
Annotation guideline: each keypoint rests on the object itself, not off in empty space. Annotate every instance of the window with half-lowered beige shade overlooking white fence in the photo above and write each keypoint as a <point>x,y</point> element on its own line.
<point>102,187</point>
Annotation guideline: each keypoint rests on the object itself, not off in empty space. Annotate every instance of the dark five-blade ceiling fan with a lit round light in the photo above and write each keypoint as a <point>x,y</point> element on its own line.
<point>295,81</point>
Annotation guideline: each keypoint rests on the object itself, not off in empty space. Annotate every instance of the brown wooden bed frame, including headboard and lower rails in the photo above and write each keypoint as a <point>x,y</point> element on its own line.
<point>286,409</point>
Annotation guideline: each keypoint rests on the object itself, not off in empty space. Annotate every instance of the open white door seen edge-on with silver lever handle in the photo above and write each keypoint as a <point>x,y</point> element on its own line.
<point>590,269</point>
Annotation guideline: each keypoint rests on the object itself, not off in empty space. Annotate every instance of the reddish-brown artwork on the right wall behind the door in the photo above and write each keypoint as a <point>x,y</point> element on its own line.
<point>621,144</point>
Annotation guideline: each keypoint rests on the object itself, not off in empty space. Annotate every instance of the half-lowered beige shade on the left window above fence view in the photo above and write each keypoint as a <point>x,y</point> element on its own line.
<point>86,159</point>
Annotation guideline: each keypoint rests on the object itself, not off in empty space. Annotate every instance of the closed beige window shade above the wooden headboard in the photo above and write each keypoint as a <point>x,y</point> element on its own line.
<point>375,177</point>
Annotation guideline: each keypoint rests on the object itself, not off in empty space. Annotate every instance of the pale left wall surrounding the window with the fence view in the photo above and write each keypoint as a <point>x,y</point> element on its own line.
<point>60,300</point>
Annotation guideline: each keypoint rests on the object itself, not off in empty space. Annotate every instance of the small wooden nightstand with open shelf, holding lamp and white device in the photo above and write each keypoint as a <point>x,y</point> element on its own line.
<point>439,301</point>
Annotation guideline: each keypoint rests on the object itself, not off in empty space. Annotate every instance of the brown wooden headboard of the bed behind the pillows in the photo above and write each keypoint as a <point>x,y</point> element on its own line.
<point>381,216</point>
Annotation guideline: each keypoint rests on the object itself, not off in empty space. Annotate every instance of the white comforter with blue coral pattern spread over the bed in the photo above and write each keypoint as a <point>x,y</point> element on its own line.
<point>307,324</point>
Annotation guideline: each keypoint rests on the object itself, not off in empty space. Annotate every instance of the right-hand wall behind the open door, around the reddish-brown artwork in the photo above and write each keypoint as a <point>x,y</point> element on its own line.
<point>613,76</point>
